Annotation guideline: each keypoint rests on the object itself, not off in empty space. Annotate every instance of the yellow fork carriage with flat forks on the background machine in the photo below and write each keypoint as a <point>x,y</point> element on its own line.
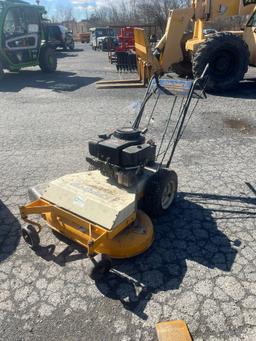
<point>147,65</point>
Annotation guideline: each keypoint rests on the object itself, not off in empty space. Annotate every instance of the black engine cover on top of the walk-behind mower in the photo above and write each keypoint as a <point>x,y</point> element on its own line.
<point>126,147</point>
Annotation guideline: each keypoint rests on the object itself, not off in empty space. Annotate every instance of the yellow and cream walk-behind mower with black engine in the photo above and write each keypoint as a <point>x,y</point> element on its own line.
<point>107,210</point>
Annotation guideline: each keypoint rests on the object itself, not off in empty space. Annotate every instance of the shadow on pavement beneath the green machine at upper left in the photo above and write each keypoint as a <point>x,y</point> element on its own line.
<point>58,81</point>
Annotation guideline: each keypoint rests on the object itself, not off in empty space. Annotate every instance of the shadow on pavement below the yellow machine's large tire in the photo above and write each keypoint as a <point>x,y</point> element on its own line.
<point>246,89</point>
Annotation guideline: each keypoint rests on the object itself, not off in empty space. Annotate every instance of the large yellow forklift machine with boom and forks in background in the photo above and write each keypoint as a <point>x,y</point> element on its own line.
<point>228,53</point>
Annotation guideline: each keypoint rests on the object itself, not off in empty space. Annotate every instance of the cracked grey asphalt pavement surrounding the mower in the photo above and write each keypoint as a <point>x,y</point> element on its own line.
<point>202,265</point>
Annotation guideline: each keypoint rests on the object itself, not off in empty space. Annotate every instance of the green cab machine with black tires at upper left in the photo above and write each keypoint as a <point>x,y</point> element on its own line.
<point>22,38</point>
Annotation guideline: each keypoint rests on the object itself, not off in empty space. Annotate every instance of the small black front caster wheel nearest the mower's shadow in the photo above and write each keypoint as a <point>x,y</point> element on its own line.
<point>100,265</point>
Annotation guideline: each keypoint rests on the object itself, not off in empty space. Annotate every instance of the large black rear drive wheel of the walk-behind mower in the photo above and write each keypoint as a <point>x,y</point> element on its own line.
<point>160,192</point>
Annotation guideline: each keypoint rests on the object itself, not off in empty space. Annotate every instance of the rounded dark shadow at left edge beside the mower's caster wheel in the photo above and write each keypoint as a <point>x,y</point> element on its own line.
<point>10,232</point>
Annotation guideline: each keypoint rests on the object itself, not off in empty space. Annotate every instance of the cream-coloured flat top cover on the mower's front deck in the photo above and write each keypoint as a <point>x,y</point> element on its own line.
<point>93,197</point>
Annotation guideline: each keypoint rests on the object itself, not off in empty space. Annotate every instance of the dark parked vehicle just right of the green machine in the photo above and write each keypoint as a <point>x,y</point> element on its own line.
<point>59,36</point>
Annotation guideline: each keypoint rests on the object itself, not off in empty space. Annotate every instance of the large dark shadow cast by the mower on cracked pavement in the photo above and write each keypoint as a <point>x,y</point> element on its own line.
<point>188,232</point>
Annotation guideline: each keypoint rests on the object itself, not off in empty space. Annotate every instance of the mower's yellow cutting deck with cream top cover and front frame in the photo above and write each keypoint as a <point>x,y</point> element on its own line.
<point>72,204</point>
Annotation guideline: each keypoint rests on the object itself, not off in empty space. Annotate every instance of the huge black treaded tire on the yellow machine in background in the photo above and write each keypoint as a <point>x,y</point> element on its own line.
<point>228,58</point>
